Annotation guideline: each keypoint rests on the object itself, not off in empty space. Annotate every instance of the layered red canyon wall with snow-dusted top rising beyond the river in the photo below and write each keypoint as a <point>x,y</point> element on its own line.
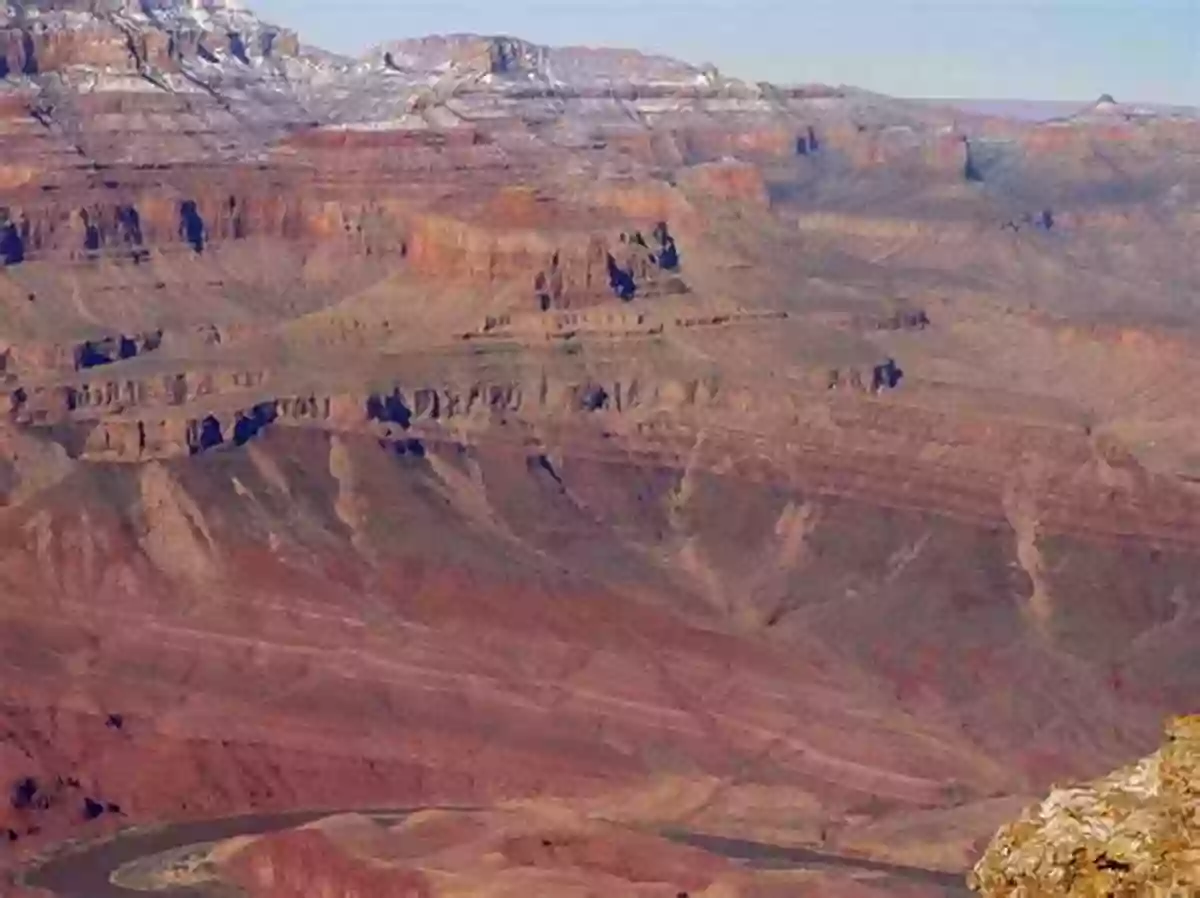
<point>477,423</point>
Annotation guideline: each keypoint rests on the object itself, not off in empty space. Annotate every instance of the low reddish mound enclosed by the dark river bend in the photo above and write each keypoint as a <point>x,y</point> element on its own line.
<point>499,854</point>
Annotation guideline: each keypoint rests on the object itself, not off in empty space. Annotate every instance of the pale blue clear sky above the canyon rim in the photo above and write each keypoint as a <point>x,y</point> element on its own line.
<point>1145,51</point>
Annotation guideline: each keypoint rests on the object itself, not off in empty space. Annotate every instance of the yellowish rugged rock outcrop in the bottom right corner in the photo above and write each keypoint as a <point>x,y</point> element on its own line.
<point>1136,833</point>
